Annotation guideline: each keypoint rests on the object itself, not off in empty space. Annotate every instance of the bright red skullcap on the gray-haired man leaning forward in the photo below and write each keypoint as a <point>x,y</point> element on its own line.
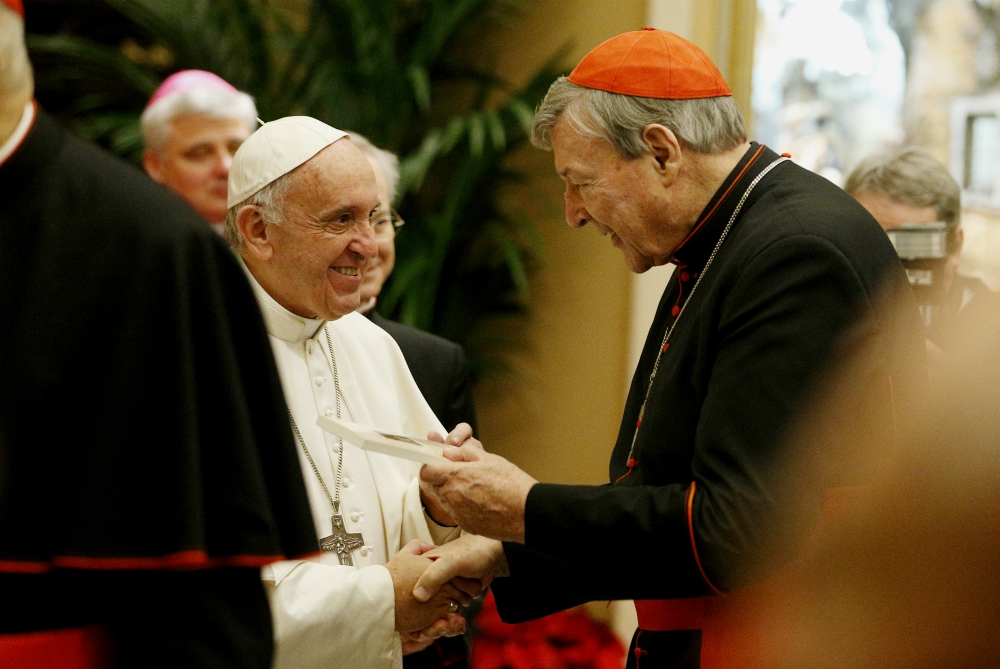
<point>651,63</point>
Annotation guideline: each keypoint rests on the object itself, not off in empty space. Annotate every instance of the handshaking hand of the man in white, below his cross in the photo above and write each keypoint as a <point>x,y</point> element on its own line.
<point>412,615</point>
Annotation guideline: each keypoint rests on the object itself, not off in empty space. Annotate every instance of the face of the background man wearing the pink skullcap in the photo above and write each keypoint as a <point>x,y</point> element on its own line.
<point>195,162</point>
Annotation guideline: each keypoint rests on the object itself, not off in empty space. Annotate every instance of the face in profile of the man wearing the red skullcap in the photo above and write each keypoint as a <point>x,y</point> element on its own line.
<point>626,199</point>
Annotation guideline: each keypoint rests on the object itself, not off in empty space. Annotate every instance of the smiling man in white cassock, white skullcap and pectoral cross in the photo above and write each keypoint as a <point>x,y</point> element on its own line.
<point>302,199</point>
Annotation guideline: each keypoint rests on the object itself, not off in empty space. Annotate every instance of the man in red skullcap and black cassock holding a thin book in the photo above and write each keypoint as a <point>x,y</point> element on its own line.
<point>778,278</point>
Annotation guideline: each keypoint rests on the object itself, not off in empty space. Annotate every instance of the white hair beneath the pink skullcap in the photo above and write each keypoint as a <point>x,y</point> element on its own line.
<point>213,103</point>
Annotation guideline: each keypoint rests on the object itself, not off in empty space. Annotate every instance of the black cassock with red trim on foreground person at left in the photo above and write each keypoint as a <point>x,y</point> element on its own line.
<point>147,469</point>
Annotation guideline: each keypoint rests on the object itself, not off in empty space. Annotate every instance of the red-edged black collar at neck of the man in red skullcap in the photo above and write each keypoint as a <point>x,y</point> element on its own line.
<point>693,252</point>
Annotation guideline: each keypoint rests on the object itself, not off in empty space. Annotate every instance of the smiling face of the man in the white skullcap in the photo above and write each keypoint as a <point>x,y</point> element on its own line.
<point>319,250</point>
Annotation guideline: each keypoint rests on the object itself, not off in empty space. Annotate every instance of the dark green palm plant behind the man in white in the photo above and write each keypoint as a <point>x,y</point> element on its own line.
<point>405,73</point>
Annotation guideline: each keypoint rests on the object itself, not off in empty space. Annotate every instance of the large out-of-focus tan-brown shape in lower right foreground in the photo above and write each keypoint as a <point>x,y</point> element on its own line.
<point>910,576</point>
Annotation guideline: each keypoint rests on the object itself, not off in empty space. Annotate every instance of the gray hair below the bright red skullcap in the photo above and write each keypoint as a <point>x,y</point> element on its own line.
<point>705,125</point>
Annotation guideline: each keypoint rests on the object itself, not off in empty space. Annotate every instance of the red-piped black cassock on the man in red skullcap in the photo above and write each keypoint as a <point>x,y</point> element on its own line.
<point>795,287</point>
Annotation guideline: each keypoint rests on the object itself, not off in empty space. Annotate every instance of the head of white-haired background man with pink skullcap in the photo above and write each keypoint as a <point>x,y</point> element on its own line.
<point>193,124</point>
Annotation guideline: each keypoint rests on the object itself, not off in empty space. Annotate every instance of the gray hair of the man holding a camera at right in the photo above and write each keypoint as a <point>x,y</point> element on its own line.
<point>913,177</point>
